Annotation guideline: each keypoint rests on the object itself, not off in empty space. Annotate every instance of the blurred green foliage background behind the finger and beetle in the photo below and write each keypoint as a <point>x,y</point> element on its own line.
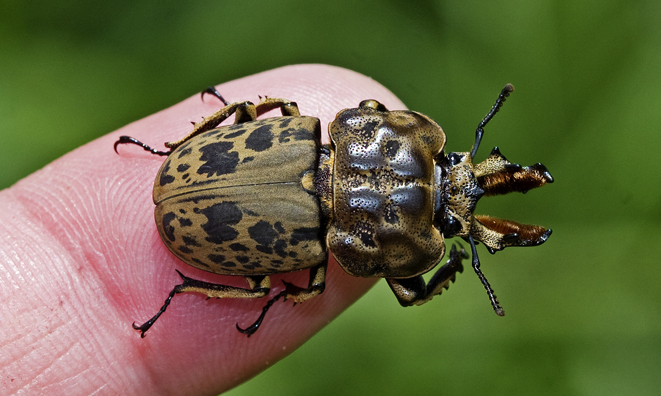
<point>583,311</point>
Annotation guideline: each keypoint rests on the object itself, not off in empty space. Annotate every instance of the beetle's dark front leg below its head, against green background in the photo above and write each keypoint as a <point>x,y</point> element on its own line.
<point>414,291</point>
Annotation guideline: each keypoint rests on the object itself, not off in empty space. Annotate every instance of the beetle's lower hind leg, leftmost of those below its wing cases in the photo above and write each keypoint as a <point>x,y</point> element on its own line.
<point>259,287</point>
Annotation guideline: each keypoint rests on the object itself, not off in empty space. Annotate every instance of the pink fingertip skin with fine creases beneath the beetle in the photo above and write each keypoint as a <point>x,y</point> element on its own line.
<point>81,259</point>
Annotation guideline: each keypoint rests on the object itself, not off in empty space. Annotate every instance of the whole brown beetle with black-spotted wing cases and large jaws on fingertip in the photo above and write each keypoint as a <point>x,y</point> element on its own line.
<point>261,197</point>
